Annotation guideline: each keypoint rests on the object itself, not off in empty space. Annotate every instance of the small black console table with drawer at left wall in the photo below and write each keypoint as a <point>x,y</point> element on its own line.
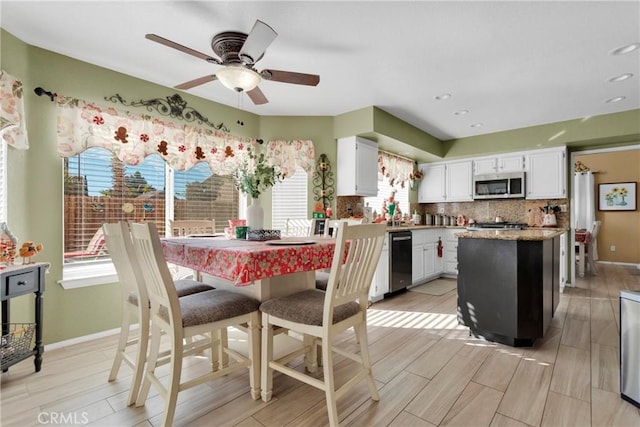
<point>17,280</point>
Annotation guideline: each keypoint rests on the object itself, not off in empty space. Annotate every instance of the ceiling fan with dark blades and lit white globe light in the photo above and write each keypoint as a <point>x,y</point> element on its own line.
<point>238,53</point>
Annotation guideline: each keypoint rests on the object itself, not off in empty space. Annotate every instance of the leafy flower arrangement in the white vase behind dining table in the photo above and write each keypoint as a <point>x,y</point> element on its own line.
<point>255,175</point>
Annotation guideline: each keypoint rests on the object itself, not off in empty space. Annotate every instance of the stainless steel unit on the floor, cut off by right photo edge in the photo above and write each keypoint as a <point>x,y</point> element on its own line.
<point>630,346</point>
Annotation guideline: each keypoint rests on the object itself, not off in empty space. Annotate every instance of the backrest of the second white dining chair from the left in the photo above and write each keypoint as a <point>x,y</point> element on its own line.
<point>157,277</point>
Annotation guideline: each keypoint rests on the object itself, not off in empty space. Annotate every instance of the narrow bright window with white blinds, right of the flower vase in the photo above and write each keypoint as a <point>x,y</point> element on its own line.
<point>289,199</point>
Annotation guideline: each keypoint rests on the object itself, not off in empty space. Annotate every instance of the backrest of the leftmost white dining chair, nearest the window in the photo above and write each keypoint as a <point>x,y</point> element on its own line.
<point>118,241</point>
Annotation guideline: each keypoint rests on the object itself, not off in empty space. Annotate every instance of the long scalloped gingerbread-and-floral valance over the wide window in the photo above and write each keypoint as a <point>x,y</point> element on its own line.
<point>132,137</point>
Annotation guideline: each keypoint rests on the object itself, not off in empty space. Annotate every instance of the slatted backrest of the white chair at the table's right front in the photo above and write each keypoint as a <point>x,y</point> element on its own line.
<point>351,280</point>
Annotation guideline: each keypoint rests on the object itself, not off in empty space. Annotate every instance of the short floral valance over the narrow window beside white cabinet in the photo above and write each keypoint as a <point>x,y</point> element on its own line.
<point>287,155</point>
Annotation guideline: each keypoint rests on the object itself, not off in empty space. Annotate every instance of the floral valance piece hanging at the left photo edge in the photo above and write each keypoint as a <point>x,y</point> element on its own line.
<point>12,125</point>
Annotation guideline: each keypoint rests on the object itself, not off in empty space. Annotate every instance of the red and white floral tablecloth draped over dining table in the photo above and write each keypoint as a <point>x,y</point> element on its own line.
<point>243,261</point>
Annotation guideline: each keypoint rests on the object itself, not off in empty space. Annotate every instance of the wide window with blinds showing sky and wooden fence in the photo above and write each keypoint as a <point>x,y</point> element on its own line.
<point>99,188</point>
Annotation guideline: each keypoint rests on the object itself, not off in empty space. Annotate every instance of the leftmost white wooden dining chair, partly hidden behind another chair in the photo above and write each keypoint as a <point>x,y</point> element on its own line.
<point>135,304</point>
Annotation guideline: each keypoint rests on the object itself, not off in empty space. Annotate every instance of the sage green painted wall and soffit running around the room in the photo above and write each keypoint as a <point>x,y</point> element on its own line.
<point>35,176</point>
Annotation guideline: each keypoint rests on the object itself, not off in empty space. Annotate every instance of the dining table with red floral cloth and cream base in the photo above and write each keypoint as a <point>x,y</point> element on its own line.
<point>261,269</point>
